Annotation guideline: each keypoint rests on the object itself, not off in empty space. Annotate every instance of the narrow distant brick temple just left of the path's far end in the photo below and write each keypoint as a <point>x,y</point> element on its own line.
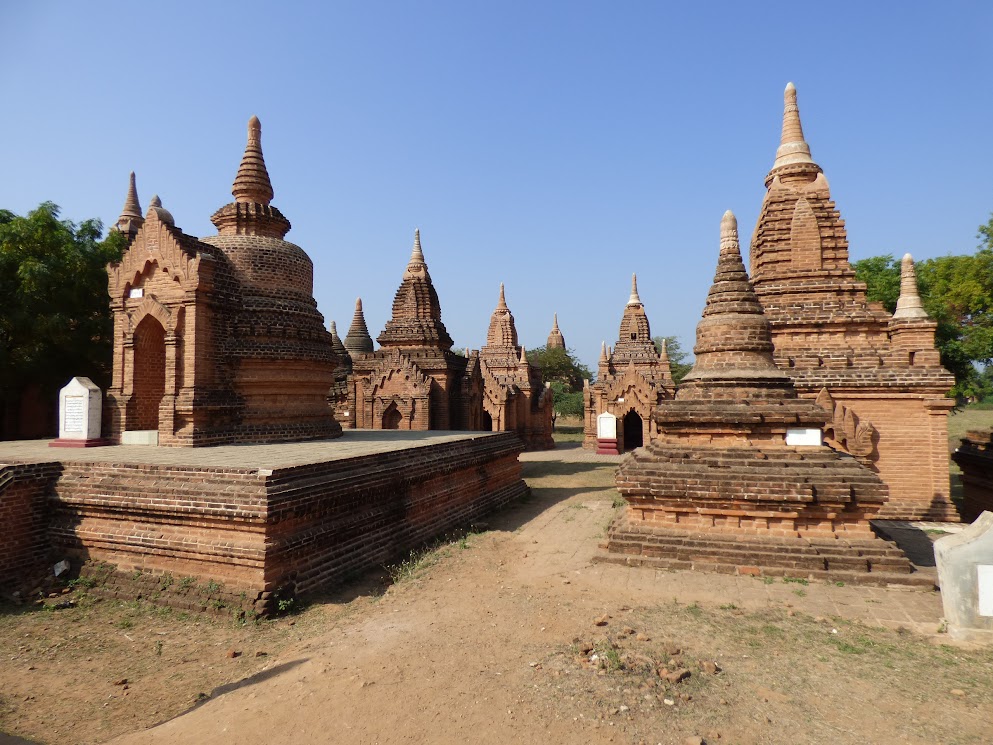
<point>514,397</point>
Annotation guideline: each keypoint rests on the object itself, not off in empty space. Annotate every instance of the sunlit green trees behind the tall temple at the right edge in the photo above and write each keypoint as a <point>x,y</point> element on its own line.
<point>957,292</point>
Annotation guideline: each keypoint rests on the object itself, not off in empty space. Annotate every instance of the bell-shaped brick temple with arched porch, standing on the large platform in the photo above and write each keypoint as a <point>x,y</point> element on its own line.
<point>217,340</point>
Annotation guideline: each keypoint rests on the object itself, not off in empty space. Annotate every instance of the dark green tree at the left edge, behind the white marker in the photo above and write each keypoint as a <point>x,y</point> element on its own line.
<point>55,317</point>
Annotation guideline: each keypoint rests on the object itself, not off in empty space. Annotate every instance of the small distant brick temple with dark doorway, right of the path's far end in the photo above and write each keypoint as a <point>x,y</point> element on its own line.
<point>632,378</point>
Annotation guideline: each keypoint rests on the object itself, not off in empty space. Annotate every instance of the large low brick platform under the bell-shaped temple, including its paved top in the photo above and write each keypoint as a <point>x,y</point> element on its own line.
<point>240,527</point>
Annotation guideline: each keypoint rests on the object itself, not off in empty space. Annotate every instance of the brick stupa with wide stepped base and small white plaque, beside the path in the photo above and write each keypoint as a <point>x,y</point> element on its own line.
<point>723,487</point>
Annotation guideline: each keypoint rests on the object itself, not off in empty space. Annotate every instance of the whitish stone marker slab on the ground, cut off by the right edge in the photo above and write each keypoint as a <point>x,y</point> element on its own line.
<point>965,573</point>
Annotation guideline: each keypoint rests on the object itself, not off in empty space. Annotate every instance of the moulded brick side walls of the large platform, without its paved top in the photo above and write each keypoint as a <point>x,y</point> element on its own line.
<point>169,532</point>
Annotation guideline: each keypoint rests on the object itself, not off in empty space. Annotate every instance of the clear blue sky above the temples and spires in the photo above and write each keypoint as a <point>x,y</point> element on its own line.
<point>554,146</point>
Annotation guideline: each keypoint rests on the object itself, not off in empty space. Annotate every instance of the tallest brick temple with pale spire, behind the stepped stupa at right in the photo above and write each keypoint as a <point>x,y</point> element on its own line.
<point>879,376</point>
